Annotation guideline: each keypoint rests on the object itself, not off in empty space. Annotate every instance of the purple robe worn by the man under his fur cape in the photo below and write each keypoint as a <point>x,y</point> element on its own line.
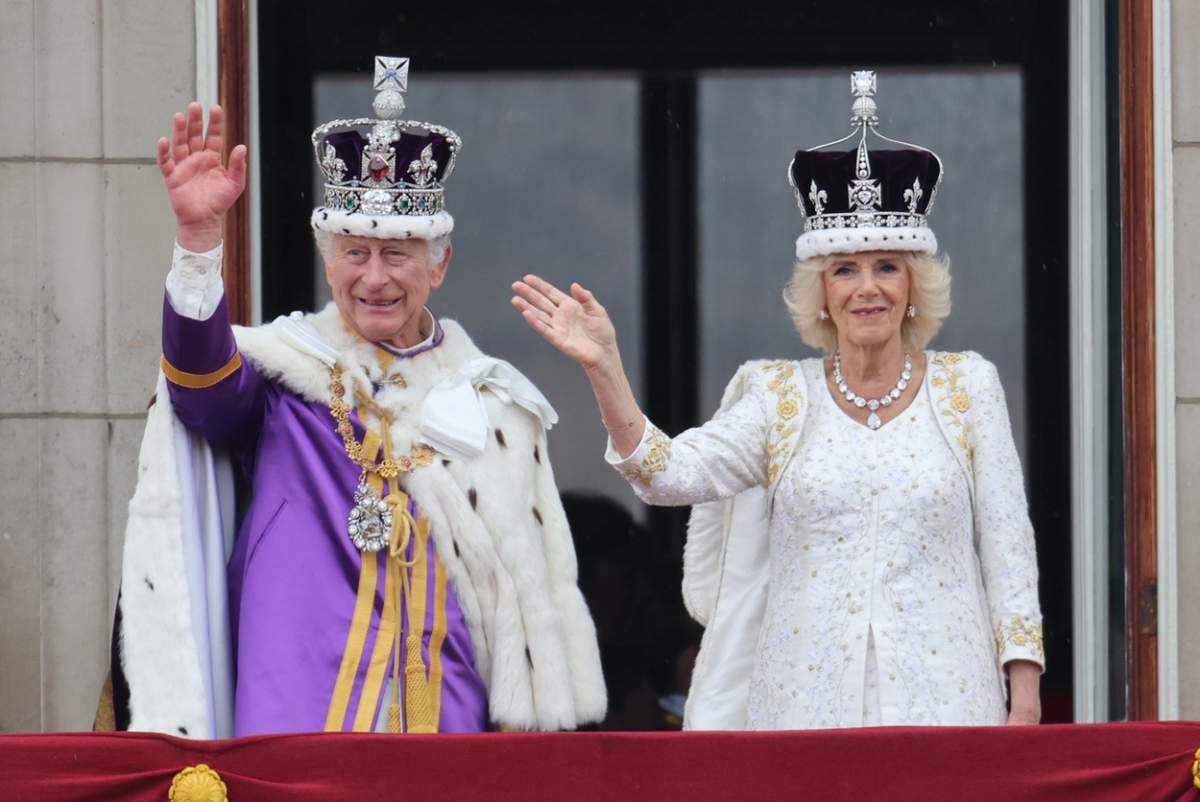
<point>295,573</point>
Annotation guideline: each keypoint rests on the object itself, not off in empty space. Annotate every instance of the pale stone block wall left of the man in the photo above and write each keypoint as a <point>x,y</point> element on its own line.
<point>87,88</point>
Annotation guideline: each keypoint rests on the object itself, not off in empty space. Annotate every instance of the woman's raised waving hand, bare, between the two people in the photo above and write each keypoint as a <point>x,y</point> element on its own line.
<point>577,325</point>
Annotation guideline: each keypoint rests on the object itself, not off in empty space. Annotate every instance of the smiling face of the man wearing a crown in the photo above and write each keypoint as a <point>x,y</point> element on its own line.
<point>382,285</point>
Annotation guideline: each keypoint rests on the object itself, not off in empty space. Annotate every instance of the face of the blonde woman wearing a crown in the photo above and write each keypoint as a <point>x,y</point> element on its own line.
<point>867,296</point>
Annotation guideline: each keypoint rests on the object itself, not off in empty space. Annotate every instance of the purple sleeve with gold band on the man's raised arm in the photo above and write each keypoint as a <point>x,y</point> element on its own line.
<point>230,412</point>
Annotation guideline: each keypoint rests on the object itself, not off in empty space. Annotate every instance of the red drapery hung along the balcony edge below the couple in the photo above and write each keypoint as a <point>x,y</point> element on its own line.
<point>1118,763</point>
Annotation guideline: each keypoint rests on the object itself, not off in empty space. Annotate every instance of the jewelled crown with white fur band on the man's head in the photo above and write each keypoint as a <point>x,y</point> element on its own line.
<point>386,177</point>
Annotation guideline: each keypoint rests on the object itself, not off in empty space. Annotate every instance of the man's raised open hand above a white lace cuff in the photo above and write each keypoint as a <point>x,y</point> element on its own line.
<point>201,188</point>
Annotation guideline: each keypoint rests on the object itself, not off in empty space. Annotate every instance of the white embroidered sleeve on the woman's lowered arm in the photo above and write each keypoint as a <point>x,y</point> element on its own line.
<point>1004,532</point>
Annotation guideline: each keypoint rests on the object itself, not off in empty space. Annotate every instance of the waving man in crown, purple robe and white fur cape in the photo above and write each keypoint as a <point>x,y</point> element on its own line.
<point>404,564</point>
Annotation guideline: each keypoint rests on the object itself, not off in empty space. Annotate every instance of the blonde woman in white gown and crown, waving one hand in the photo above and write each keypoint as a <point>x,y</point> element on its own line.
<point>901,577</point>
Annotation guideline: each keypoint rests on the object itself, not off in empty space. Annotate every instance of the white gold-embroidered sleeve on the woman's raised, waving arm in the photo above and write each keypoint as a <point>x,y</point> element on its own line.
<point>717,460</point>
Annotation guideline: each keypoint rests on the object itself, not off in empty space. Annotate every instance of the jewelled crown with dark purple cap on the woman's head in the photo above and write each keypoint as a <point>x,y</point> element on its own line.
<point>867,199</point>
